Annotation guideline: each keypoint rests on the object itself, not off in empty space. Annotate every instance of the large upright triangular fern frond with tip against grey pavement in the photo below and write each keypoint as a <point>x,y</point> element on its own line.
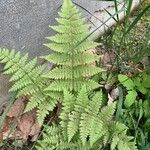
<point>70,54</point>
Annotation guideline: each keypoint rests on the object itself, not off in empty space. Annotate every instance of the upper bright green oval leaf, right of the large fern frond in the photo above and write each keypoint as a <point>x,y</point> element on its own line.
<point>126,82</point>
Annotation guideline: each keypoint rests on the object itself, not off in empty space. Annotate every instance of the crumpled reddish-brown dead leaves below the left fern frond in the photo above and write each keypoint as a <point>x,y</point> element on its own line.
<point>26,124</point>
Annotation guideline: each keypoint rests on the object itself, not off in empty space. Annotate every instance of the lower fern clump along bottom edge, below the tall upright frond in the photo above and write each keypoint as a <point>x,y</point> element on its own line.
<point>84,124</point>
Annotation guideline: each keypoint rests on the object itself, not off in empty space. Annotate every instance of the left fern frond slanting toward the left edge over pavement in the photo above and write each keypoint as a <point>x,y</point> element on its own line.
<point>28,80</point>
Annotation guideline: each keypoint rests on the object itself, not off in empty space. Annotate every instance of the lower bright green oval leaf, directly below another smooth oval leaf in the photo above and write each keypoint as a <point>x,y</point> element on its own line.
<point>130,98</point>
